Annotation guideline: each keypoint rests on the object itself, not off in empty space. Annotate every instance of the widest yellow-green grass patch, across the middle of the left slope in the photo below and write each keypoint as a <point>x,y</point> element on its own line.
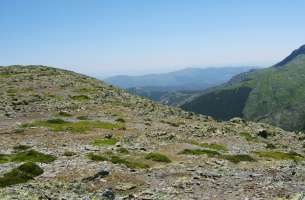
<point>58,125</point>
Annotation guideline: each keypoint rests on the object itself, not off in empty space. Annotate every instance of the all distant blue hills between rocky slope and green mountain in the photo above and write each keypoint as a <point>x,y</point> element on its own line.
<point>175,88</point>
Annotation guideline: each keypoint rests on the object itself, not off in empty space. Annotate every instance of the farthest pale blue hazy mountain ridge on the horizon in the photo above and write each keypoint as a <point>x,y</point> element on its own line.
<point>185,79</point>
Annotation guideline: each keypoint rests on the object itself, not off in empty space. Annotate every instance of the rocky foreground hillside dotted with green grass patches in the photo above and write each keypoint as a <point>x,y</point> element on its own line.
<point>68,136</point>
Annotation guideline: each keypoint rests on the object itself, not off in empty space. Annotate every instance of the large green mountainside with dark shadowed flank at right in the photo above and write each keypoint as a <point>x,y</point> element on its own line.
<point>274,95</point>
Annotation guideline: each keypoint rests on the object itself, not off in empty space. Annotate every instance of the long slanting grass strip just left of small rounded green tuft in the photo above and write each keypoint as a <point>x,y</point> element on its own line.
<point>118,160</point>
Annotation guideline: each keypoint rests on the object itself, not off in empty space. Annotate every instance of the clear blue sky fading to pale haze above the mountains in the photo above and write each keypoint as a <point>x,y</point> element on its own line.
<point>108,37</point>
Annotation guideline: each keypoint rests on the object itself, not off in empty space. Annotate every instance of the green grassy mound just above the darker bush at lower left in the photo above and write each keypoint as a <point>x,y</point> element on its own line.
<point>32,156</point>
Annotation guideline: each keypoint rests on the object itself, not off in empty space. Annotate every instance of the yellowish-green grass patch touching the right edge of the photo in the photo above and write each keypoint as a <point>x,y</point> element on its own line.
<point>277,155</point>
